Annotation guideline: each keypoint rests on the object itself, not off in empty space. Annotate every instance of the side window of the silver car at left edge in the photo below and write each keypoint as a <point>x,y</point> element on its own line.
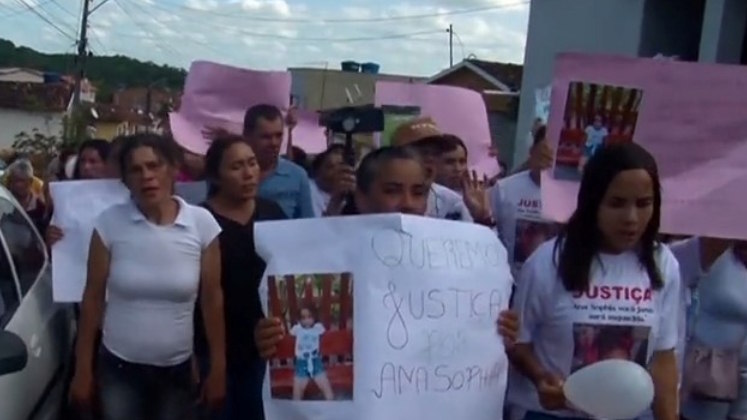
<point>25,246</point>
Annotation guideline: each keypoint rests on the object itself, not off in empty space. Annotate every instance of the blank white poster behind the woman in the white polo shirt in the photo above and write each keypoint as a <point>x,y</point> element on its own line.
<point>76,206</point>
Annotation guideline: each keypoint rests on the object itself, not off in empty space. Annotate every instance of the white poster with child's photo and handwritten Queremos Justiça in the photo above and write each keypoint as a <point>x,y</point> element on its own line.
<point>419,297</point>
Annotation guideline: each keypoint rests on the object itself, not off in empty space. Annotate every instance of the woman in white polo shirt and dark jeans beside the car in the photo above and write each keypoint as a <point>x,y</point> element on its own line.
<point>147,260</point>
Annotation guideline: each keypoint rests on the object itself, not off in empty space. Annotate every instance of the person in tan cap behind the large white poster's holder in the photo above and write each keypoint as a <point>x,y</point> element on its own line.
<point>424,136</point>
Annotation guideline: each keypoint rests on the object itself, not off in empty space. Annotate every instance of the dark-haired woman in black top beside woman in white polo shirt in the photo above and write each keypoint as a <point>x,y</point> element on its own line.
<point>232,174</point>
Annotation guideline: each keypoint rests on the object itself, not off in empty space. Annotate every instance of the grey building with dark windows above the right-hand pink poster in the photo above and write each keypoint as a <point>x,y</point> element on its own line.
<point>710,31</point>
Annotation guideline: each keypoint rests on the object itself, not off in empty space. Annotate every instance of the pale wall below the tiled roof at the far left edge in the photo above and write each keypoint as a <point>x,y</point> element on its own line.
<point>14,121</point>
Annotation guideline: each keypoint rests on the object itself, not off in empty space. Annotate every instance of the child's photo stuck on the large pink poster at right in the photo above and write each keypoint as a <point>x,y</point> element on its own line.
<point>594,115</point>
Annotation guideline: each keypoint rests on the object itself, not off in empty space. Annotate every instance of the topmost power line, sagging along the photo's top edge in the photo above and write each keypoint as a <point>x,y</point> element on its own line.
<point>341,20</point>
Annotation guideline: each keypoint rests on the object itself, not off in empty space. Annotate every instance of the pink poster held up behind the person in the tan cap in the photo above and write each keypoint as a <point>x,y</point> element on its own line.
<point>457,111</point>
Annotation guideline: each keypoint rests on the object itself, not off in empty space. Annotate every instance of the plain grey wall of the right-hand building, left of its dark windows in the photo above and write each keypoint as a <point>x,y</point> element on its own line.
<point>593,26</point>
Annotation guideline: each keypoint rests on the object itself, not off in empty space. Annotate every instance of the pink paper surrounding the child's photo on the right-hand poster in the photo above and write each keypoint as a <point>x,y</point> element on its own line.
<point>690,119</point>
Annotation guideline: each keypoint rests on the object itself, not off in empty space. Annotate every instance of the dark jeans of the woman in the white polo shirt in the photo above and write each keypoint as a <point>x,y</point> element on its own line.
<point>130,391</point>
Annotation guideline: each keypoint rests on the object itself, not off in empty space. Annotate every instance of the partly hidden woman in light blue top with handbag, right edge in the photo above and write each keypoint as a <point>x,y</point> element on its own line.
<point>717,336</point>
